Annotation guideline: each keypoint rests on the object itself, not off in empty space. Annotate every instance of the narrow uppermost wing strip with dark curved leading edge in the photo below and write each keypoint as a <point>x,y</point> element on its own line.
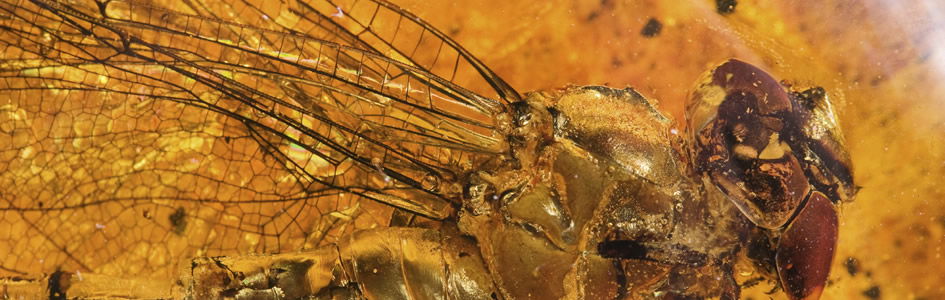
<point>372,25</point>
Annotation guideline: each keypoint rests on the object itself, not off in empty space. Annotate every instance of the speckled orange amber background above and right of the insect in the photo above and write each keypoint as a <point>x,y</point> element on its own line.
<point>883,63</point>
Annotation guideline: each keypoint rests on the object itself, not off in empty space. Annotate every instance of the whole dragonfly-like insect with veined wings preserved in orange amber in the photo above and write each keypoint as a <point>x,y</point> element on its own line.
<point>184,140</point>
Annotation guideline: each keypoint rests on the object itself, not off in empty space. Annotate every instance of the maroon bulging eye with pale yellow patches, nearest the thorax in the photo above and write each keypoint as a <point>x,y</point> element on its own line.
<point>744,128</point>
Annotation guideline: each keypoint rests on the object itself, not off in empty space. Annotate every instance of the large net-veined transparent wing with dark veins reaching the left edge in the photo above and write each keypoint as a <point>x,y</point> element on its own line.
<point>134,137</point>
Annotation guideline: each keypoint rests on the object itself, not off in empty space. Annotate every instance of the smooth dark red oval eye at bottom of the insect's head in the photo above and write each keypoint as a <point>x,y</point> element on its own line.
<point>806,249</point>
